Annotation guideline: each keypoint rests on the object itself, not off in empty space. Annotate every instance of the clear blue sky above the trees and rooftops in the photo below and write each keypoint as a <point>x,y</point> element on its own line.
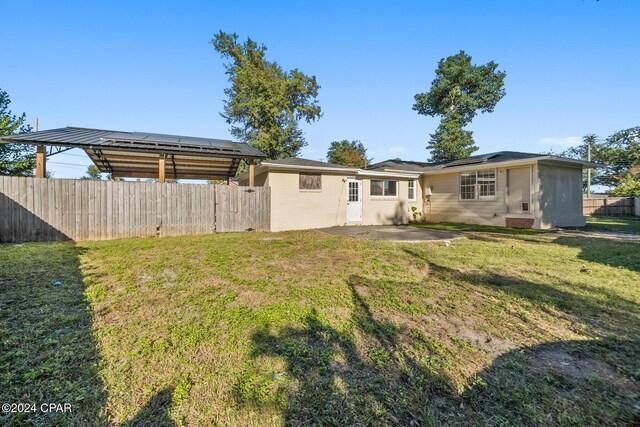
<point>572,67</point>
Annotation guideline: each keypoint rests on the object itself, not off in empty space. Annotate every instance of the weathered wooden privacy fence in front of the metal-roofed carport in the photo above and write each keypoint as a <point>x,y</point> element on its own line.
<point>36,209</point>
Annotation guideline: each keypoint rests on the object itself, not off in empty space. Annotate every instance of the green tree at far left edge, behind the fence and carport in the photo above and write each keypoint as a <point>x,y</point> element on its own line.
<point>15,159</point>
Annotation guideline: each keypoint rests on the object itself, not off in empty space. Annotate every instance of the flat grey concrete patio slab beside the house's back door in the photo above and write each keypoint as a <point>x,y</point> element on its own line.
<point>391,232</point>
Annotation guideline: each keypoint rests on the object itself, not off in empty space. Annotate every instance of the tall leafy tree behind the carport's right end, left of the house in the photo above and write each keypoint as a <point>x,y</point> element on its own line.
<point>265,103</point>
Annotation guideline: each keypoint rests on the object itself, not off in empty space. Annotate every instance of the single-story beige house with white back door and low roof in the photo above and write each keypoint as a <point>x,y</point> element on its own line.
<point>507,188</point>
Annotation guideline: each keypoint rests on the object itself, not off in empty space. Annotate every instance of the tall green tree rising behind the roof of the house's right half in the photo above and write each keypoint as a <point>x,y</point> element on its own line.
<point>459,91</point>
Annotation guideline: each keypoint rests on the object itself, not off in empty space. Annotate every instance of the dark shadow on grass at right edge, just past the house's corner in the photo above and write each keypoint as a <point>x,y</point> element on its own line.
<point>610,252</point>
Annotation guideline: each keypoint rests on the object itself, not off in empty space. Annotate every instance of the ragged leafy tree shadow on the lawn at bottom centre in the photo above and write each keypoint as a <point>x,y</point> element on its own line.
<point>337,385</point>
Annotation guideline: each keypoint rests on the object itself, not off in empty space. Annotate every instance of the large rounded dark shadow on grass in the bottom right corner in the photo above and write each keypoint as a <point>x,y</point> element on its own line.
<point>561,383</point>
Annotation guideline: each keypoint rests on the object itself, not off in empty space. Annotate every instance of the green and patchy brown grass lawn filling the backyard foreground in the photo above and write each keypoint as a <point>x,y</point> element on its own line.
<point>303,328</point>
